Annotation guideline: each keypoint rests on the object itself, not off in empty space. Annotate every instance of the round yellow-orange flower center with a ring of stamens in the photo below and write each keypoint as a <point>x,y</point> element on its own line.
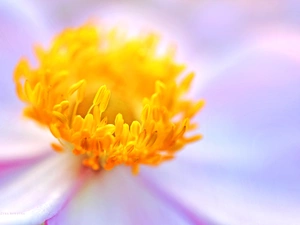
<point>109,98</point>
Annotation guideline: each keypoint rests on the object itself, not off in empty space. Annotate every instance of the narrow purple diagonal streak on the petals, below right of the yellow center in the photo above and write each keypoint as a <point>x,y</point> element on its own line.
<point>170,200</point>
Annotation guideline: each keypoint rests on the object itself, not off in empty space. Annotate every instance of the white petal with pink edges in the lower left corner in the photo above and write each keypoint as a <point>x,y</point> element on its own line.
<point>40,190</point>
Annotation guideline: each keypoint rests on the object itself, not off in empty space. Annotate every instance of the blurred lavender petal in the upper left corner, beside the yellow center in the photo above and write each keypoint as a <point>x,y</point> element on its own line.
<point>20,28</point>
